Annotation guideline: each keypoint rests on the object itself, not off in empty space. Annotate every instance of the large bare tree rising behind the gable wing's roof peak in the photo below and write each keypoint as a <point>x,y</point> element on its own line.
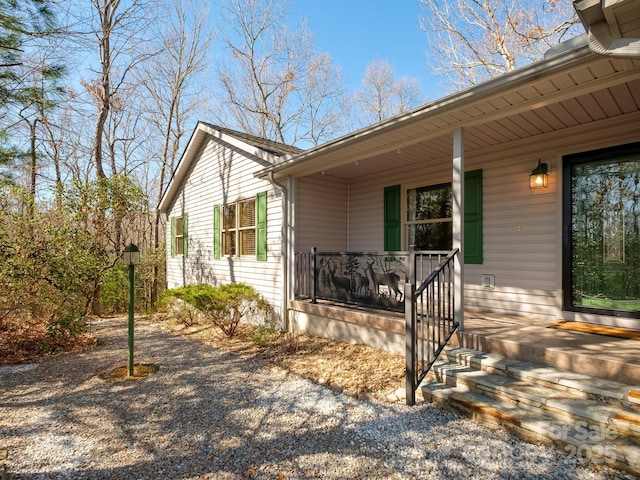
<point>275,85</point>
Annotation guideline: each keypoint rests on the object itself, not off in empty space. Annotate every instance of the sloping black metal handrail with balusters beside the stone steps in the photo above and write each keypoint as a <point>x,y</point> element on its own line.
<point>430,321</point>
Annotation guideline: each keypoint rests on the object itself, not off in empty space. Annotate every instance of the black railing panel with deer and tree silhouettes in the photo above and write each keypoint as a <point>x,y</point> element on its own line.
<point>368,279</point>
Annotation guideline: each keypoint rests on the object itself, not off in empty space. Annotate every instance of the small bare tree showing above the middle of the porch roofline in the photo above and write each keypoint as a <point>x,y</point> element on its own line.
<point>382,95</point>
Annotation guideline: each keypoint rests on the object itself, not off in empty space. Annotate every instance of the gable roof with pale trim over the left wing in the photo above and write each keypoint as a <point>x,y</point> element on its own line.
<point>260,149</point>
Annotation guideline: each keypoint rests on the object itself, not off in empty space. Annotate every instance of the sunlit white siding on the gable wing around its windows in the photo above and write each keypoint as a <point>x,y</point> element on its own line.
<point>220,176</point>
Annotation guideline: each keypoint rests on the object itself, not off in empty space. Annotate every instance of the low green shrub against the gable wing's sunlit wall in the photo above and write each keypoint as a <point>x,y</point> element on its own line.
<point>224,305</point>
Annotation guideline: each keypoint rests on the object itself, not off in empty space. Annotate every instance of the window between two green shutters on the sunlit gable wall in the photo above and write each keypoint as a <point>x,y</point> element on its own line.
<point>239,228</point>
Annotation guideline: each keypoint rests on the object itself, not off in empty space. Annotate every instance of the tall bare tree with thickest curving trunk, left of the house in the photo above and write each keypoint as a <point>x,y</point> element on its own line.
<point>118,33</point>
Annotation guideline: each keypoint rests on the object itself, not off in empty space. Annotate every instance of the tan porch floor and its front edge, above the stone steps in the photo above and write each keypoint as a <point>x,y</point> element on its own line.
<point>518,337</point>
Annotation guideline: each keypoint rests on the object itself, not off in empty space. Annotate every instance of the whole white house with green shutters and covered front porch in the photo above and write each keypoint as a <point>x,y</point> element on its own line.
<point>565,248</point>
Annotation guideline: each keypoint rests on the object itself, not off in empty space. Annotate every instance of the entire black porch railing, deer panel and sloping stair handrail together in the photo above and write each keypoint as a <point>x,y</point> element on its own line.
<point>387,280</point>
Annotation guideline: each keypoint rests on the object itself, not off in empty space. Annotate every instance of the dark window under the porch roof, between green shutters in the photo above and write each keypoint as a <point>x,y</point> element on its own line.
<point>429,219</point>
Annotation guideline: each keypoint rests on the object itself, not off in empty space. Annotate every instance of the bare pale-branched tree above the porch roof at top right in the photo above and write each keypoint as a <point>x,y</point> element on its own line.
<point>471,41</point>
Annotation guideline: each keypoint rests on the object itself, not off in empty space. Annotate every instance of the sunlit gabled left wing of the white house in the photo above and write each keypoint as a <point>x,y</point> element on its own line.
<point>224,224</point>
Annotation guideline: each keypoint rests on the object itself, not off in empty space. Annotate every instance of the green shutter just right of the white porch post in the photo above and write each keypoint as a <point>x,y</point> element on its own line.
<point>473,217</point>
